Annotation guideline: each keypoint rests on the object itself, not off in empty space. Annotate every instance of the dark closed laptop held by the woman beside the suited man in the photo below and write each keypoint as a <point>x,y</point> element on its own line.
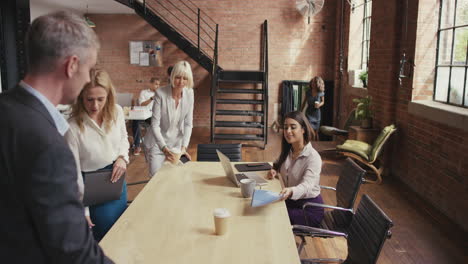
<point>99,189</point>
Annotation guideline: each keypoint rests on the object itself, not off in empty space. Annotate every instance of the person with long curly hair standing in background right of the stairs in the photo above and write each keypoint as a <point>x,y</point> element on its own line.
<point>315,97</point>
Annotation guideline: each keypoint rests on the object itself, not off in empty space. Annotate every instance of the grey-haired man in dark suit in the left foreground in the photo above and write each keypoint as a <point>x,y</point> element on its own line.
<point>42,217</point>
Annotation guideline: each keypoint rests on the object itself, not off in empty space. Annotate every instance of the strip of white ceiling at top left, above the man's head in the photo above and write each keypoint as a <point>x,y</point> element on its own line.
<point>41,7</point>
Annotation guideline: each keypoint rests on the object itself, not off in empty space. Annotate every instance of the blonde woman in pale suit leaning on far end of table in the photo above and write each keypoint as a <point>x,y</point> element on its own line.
<point>171,123</point>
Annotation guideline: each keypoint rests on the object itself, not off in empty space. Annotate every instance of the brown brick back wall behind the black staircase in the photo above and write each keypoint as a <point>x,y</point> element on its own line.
<point>297,50</point>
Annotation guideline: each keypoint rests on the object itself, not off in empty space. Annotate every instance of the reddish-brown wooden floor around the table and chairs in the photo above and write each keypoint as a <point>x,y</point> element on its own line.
<point>420,233</point>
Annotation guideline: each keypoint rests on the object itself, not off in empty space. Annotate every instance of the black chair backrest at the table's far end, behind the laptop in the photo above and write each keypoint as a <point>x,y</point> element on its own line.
<point>207,152</point>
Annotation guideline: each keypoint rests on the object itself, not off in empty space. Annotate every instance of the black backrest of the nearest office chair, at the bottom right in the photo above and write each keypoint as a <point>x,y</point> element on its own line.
<point>367,233</point>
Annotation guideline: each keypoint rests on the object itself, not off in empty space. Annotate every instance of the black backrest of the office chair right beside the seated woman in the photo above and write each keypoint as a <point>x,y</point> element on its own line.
<point>350,179</point>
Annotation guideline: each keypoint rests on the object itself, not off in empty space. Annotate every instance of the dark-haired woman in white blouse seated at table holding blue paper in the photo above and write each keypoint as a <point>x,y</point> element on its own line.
<point>299,165</point>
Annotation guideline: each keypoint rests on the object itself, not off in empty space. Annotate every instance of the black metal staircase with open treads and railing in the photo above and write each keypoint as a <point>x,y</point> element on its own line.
<point>239,99</point>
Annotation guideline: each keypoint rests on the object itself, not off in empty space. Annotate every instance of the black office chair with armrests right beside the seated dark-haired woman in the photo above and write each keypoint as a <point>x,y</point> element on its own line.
<point>351,176</point>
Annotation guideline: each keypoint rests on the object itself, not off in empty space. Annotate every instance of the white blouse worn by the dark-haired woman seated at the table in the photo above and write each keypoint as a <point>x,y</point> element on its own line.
<point>303,173</point>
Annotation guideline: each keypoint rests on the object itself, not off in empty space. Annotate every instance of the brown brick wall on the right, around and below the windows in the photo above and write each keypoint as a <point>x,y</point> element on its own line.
<point>430,157</point>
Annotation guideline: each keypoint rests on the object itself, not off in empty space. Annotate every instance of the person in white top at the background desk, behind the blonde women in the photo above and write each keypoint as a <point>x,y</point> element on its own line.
<point>146,99</point>
